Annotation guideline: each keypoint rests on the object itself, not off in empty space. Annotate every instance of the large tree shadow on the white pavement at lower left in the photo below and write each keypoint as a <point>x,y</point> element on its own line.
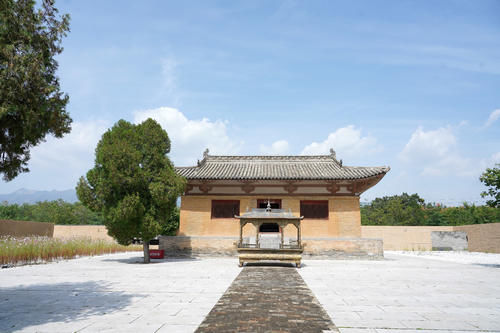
<point>26,306</point>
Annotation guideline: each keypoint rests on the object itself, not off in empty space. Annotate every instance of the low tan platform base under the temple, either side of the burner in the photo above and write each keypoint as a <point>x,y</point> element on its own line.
<point>337,248</point>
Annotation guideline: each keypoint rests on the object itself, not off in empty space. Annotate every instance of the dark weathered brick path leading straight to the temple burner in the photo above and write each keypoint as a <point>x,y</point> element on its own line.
<point>267,299</point>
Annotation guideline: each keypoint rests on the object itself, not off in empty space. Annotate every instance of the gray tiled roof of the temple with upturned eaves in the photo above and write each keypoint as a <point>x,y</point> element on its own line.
<point>321,167</point>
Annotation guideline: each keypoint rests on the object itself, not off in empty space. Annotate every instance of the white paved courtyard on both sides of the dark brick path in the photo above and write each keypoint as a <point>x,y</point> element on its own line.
<point>404,293</point>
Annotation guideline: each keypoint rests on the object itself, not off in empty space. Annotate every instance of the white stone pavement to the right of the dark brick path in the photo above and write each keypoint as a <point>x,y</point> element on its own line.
<point>427,292</point>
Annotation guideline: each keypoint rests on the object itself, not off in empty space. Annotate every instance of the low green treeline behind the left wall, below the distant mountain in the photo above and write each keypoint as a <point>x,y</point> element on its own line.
<point>58,212</point>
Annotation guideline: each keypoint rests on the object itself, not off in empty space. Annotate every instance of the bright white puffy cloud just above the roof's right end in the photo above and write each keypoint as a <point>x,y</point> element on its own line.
<point>347,142</point>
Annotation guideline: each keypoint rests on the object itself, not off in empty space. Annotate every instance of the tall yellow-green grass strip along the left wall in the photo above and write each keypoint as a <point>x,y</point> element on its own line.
<point>33,250</point>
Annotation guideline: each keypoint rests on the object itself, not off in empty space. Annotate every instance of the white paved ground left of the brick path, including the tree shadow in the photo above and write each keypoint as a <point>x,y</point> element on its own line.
<point>112,293</point>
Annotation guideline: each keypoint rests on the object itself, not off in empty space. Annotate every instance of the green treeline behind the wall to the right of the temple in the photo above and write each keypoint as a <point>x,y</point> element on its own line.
<point>404,210</point>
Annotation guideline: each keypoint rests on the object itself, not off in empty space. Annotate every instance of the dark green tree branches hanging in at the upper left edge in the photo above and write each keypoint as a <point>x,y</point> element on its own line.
<point>31,103</point>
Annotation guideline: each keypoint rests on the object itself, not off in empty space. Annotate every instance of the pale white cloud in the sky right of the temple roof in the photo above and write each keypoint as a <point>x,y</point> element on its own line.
<point>435,153</point>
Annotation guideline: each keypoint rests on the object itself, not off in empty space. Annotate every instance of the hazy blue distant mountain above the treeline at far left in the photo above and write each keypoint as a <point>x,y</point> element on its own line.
<point>32,196</point>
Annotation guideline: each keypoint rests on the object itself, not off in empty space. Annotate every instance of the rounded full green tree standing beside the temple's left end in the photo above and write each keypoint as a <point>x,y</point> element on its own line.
<point>133,183</point>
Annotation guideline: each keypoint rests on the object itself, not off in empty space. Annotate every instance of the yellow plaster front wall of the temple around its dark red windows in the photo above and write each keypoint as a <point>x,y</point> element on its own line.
<point>344,217</point>
